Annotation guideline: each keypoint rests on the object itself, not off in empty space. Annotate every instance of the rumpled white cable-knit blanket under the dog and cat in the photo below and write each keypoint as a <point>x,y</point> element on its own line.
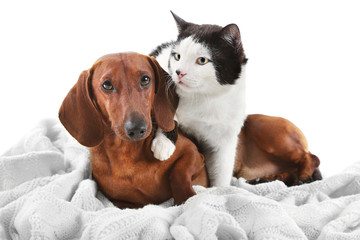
<point>46,193</point>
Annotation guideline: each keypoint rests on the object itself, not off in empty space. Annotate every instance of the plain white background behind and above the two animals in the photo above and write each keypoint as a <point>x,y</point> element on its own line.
<point>303,59</point>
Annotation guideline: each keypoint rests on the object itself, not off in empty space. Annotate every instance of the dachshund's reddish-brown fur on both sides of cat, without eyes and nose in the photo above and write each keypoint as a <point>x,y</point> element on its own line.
<point>269,148</point>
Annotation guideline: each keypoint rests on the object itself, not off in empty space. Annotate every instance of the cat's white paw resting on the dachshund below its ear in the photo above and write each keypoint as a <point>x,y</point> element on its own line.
<point>162,147</point>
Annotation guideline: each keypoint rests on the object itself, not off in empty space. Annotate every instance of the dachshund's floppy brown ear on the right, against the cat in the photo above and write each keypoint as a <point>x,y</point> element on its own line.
<point>166,100</point>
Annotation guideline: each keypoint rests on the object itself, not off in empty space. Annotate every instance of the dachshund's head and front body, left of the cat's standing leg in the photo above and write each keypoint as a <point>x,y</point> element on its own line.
<point>111,110</point>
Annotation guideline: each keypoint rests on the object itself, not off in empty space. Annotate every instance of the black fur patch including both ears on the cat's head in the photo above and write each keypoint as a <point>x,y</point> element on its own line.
<point>224,43</point>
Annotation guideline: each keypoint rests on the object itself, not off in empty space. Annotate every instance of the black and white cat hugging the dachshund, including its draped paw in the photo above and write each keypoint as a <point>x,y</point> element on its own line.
<point>207,65</point>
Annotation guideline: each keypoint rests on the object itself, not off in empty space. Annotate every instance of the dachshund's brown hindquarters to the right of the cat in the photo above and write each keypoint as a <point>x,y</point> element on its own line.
<point>273,148</point>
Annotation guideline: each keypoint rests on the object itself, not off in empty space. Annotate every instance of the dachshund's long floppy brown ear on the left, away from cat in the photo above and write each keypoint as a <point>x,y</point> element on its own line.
<point>79,115</point>
